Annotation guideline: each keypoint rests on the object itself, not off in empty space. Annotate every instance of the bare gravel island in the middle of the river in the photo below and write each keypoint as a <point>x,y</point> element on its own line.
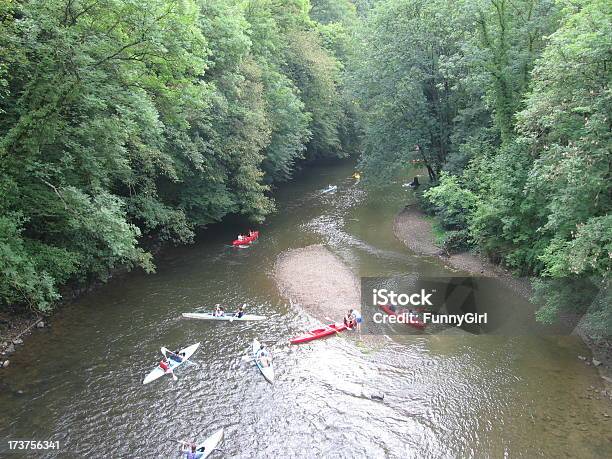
<point>306,277</point>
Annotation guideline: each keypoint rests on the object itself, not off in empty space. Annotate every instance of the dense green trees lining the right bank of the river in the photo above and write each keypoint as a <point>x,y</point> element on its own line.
<point>508,104</point>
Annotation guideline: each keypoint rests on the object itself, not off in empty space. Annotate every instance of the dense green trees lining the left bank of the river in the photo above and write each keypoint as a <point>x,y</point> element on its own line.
<point>125,124</point>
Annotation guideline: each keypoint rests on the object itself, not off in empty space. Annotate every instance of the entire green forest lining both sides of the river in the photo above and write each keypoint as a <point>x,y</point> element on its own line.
<point>125,125</point>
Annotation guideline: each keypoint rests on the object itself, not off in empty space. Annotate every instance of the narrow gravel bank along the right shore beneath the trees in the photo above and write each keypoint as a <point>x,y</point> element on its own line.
<point>415,230</point>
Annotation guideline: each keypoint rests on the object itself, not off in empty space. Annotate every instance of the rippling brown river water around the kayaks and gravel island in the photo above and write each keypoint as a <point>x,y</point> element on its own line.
<point>79,382</point>
